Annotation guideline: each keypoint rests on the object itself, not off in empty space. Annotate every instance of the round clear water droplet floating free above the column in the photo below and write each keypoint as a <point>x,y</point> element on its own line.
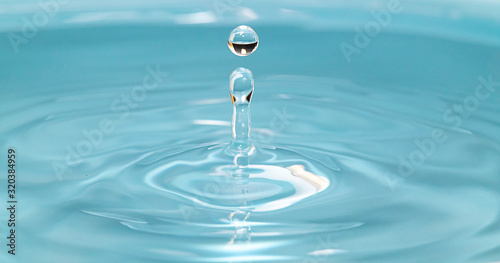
<point>243,41</point>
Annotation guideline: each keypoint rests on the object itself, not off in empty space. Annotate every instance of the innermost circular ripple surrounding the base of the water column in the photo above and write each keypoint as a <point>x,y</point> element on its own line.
<point>221,181</point>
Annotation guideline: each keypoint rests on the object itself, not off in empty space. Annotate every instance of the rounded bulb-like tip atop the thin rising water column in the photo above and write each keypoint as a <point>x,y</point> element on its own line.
<point>241,85</point>
